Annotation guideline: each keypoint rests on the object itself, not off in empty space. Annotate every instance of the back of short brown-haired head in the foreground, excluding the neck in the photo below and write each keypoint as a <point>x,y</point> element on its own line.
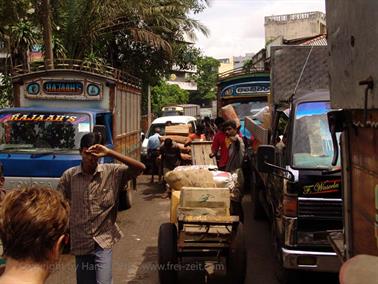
<point>33,223</point>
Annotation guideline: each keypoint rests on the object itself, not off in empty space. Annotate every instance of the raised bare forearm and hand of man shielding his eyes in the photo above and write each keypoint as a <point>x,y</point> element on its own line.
<point>102,151</point>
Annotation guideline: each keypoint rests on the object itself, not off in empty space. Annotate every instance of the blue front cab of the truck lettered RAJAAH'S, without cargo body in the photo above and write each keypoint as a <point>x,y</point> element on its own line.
<point>38,144</point>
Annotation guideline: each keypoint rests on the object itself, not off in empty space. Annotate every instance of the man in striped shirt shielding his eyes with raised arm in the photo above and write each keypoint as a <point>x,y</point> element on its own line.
<point>92,190</point>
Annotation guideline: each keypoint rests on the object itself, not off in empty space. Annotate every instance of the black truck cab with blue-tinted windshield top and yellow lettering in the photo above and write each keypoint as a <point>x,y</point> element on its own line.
<point>297,185</point>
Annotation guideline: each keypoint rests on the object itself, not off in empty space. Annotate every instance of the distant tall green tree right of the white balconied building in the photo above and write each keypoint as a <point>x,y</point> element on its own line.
<point>206,79</point>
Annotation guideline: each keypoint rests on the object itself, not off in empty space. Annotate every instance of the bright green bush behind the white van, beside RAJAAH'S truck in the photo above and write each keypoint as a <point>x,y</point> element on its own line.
<point>164,94</point>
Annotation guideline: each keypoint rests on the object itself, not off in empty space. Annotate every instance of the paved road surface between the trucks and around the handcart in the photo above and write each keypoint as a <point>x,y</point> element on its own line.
<point>135,256</point>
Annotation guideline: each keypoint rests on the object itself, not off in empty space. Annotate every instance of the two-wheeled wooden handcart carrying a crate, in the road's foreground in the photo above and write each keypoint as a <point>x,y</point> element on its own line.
<point>203,228</point>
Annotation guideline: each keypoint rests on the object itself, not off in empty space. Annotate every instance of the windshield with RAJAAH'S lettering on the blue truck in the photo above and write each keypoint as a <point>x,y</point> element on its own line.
<point>42,131</point>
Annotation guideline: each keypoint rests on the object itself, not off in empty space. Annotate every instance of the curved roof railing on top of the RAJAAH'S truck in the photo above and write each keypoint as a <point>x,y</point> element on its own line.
<point>79,65</point>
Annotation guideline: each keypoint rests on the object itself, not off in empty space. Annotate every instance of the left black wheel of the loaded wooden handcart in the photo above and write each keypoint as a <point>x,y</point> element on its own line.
<point>167,253</point>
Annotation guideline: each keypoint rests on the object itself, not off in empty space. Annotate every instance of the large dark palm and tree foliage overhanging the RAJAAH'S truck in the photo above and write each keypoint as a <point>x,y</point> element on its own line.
<point>143,37</point>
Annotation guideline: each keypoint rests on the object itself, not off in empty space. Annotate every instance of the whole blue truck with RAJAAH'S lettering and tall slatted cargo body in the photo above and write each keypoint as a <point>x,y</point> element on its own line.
<point>40,137</point>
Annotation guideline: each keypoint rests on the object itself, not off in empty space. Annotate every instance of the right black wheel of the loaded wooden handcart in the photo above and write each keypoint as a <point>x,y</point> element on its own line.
<point>237,257</point>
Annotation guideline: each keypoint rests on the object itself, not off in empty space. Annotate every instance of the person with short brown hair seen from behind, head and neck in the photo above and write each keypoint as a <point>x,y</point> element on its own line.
<point>33,227</point>
